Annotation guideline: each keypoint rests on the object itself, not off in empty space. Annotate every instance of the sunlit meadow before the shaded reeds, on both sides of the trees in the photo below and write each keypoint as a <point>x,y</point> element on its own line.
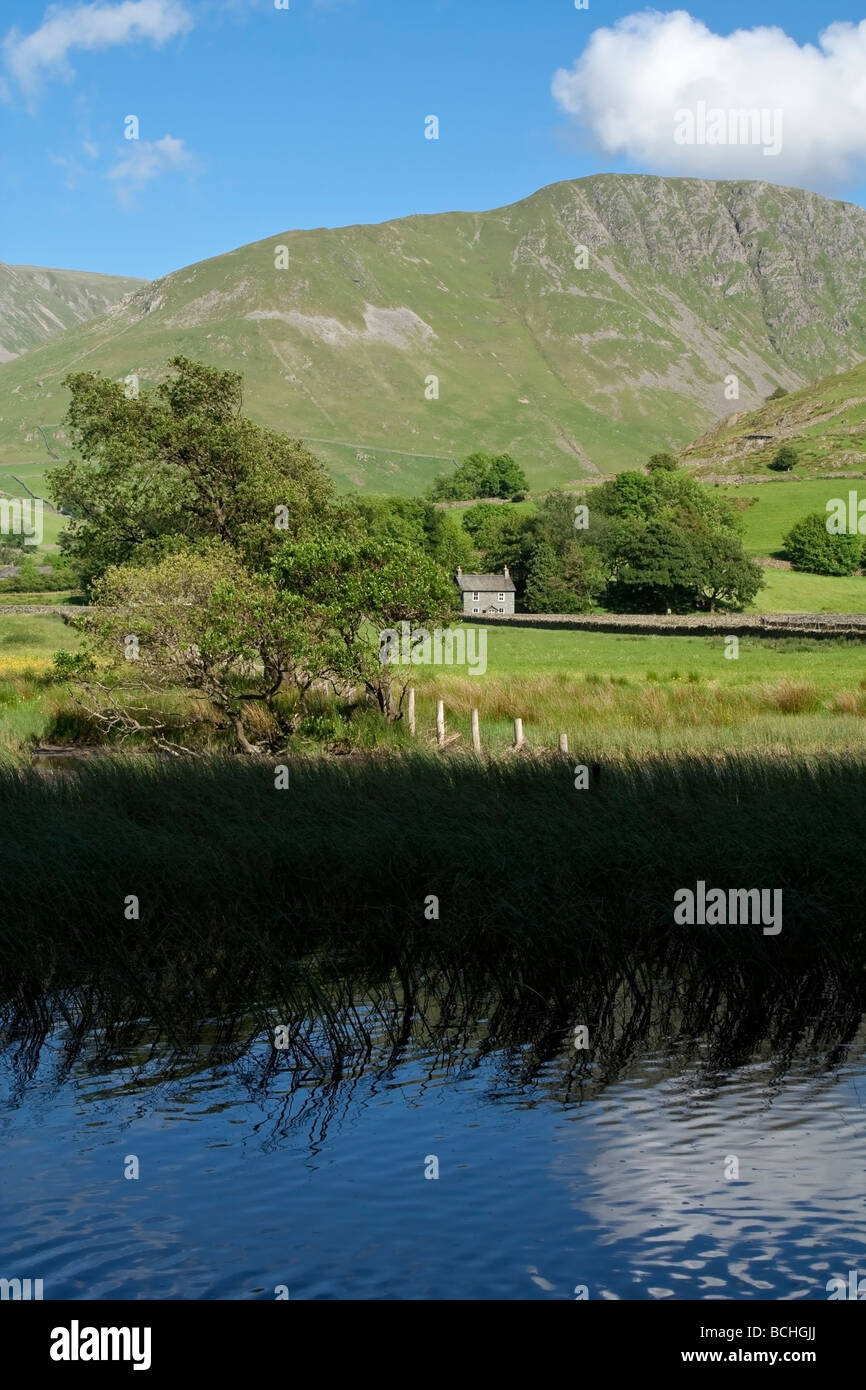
<point>612,694</point>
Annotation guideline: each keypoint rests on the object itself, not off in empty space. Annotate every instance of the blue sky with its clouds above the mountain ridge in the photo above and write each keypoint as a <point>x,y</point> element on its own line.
<point>256,120</point>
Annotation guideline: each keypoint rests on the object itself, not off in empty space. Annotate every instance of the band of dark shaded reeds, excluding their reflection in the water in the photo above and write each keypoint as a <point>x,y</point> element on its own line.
<point>354,847</point>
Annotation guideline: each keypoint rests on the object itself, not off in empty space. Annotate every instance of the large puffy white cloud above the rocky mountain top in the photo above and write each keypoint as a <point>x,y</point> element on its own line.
<point>633,80</point>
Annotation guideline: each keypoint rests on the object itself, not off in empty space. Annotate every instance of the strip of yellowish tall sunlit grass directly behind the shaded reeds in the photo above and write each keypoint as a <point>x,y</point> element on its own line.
<point>600,715</point>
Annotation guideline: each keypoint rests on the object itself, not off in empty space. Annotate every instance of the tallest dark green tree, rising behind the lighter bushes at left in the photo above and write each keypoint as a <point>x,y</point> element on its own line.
<point>179,466</point>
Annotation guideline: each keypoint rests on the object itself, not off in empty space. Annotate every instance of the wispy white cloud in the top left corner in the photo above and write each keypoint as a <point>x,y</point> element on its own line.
<point>31,59</point>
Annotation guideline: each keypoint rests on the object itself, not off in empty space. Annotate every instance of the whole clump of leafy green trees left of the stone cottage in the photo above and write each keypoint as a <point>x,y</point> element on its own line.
<point>222,550</point>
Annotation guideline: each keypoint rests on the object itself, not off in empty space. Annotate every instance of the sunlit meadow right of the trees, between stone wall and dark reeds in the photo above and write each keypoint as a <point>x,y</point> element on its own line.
<point>614,693</point>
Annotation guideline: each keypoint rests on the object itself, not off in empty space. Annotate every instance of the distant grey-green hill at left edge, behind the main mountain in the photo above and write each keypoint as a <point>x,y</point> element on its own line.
<point>38,305</point>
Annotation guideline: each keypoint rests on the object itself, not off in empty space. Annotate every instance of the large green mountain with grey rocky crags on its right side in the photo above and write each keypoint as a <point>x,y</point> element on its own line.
<point>575,369</point>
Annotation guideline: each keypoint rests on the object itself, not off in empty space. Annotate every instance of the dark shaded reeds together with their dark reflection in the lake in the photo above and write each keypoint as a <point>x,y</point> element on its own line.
<point>313,906</point>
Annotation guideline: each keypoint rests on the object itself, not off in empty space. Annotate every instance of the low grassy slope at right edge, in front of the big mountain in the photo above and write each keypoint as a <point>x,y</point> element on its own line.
<point>825,423</point>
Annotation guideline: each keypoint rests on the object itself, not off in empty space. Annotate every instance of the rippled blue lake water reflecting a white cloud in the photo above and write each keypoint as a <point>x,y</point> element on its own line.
<point>263,1170</point>
